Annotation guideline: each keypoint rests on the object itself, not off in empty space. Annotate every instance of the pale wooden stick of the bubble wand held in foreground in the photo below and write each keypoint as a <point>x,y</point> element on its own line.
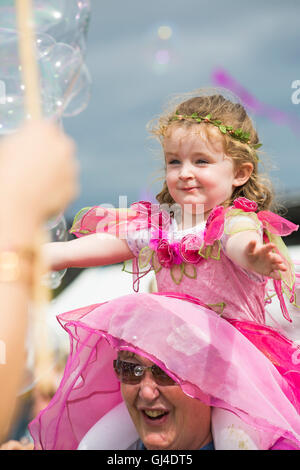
<point>33,108</point>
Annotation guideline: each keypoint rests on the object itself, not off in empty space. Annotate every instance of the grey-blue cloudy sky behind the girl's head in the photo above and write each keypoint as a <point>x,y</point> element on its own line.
<point>256,42</point>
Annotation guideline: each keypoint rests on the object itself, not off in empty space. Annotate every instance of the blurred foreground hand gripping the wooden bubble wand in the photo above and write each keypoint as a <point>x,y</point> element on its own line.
<point>38,171</point>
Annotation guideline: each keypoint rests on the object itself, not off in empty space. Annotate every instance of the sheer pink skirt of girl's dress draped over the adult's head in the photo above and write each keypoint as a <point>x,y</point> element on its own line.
<point>249,369</point>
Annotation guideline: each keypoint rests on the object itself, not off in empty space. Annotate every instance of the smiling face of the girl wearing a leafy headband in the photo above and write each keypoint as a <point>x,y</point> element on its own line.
<point>198,174</point>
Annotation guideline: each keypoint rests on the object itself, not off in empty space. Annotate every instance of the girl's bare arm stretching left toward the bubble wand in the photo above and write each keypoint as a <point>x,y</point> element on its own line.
<point>98,249</point>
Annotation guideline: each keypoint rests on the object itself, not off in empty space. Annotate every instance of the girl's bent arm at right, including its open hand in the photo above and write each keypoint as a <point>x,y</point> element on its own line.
<point>247,250</point>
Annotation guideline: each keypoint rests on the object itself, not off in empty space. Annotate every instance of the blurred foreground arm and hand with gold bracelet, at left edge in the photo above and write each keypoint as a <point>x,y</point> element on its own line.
<point>37,180</point>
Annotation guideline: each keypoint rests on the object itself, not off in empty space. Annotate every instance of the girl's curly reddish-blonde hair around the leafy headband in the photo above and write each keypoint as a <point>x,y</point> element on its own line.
<point>258,188</point>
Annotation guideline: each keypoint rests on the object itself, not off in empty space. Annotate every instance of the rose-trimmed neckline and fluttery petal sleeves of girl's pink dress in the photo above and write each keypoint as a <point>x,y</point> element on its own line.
<point>182,257</point>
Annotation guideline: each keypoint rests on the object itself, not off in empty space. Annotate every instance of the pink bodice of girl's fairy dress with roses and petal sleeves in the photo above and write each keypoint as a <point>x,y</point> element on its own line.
<point>194,262</point>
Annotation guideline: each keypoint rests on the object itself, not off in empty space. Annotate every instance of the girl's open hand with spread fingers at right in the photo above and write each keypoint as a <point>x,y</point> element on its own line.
<point>263,260</point>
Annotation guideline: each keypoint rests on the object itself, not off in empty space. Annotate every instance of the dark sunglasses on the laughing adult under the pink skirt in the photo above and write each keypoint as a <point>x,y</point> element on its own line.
<point>131,373</point>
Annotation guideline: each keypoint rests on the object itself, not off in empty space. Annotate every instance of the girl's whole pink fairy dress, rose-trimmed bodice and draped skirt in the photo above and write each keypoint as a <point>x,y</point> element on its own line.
<point>206,327</point>
